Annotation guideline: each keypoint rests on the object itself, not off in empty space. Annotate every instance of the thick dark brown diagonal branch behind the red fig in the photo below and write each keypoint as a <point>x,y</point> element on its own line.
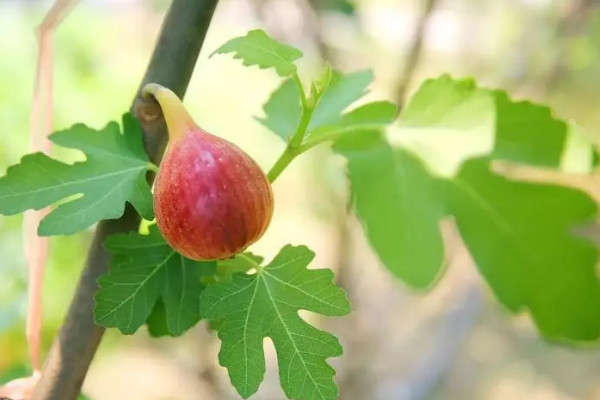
<point>172,63</point>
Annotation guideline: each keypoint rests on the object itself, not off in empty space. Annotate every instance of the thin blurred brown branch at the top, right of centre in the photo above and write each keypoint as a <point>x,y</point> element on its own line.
<point>414,53</point>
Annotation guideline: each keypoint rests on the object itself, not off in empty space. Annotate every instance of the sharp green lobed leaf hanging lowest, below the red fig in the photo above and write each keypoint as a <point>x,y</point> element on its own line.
<point>266,304</point>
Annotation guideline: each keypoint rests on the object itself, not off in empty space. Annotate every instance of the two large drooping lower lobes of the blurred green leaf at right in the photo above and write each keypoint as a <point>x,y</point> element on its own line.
<point>520,234</point>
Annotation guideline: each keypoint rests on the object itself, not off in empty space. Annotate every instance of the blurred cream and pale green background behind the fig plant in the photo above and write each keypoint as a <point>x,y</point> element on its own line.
<point>454,342</point>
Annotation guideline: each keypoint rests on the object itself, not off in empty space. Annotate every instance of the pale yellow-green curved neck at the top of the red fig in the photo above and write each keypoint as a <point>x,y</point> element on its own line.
<point>176,116</point>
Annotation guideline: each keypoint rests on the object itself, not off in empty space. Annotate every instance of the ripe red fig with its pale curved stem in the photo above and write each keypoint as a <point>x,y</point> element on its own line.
<point>211,200</point>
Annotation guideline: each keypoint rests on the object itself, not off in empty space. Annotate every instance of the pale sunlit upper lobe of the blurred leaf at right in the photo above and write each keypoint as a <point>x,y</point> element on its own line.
<point>446,122</point>
